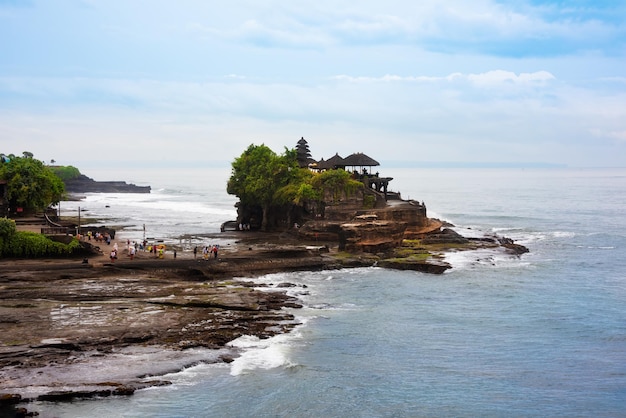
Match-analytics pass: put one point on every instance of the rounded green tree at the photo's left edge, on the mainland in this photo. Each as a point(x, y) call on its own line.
point(30, 184)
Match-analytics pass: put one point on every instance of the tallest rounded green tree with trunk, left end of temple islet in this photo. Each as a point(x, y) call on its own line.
point(258, 174)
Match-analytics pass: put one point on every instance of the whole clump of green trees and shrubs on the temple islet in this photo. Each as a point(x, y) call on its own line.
point(274, 190)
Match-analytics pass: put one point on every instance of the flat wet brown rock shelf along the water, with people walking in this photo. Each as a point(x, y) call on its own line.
point(59, 317)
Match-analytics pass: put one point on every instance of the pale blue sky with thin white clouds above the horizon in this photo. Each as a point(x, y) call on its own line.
point(194, 82)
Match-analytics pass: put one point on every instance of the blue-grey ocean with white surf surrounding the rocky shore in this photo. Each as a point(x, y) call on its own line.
point(539, 335)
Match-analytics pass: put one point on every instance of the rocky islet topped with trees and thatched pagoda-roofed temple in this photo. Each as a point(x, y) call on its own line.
point(343, 202)
